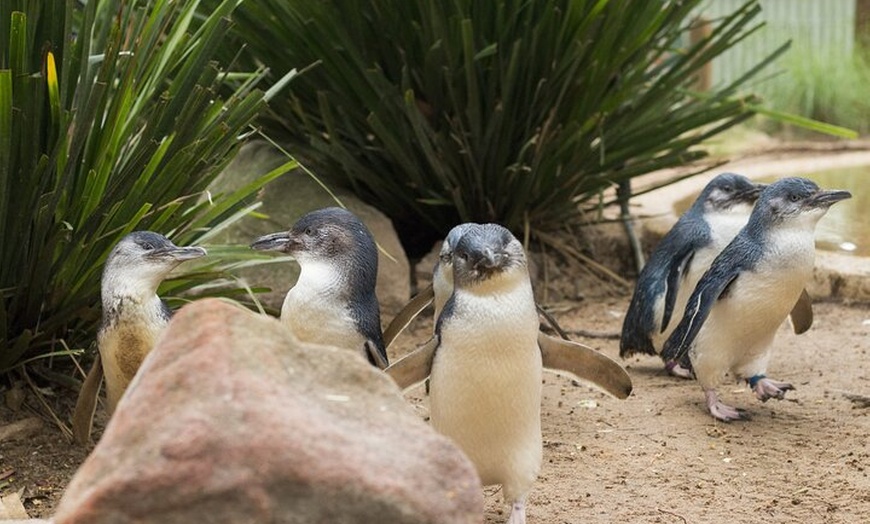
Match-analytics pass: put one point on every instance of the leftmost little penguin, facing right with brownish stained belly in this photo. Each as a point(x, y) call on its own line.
point(133, 316)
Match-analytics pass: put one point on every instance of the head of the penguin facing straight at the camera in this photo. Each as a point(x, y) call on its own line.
point(486, 251)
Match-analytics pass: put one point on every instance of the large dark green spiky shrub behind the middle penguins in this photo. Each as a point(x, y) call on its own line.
point(493, 110)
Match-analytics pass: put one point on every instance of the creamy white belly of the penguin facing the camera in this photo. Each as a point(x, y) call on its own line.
point(485, 393)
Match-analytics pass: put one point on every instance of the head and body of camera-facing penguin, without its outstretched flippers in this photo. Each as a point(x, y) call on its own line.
point(485, 382)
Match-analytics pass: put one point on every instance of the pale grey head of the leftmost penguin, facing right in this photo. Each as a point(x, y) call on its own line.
point(141, 260)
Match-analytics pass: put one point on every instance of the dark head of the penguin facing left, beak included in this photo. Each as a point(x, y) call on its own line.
point(331, 234)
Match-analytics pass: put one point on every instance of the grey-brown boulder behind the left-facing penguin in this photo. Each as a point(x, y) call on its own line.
point(288, 198)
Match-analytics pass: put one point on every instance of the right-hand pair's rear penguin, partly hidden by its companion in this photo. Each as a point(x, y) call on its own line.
point(679, 260)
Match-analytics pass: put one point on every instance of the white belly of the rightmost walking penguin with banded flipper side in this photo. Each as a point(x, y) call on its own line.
point(738, 333)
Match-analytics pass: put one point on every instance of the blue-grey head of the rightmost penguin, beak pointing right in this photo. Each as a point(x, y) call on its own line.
point(796, 199)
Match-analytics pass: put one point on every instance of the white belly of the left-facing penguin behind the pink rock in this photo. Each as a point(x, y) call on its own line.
point(313, 317)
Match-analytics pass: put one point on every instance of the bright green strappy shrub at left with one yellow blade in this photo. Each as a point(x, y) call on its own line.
point(110, 121)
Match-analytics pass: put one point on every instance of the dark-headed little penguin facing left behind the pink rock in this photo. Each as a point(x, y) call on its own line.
point(333, 302)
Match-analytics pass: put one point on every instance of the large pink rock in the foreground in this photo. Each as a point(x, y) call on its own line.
point(232, 420)
